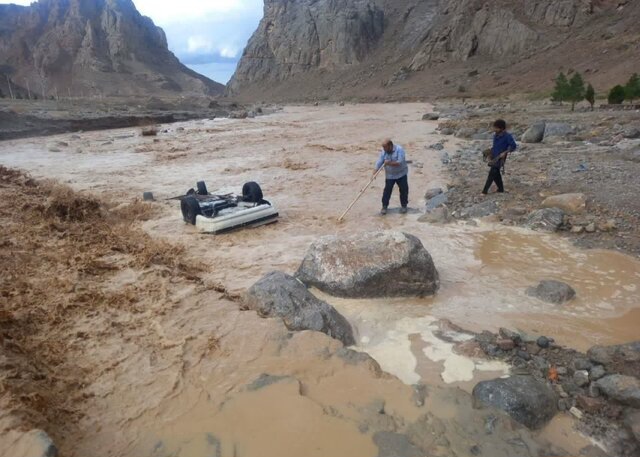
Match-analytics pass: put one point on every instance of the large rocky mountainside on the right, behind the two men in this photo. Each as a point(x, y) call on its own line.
point(378, 45)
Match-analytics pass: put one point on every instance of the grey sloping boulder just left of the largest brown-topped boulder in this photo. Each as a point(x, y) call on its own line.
point(281, 295)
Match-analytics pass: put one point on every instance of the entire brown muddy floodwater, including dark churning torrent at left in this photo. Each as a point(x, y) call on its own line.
point(155, 341)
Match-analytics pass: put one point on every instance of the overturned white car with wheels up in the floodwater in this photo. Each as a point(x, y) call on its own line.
point(217, 214)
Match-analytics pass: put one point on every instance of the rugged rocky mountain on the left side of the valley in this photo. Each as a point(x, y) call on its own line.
point(91, 47)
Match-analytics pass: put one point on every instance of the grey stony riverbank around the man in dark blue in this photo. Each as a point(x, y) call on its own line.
point(574, 173)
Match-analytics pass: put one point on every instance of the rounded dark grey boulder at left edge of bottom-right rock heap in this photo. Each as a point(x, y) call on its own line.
point(527, 400)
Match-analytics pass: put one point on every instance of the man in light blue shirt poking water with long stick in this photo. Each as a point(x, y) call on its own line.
point(394, 160)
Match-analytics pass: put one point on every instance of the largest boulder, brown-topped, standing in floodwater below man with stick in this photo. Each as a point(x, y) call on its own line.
point(368, 265)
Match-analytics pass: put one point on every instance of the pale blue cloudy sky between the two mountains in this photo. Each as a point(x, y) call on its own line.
point(207, 35)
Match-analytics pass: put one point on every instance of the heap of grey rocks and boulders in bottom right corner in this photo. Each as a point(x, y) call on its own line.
point(600, 388)
